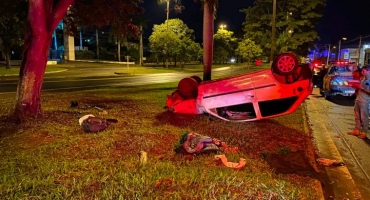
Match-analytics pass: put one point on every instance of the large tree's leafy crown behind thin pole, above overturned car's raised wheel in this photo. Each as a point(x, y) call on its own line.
point(295, 24)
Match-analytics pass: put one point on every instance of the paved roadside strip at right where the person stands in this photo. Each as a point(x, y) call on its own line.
point(330, 122)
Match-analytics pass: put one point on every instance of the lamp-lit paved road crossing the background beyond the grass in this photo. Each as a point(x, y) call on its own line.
point(86, 78)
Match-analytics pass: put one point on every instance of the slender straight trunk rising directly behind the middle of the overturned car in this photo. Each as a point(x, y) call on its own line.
point(207, 40)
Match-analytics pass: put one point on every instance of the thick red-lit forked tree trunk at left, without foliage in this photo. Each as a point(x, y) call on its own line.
point(42, 20)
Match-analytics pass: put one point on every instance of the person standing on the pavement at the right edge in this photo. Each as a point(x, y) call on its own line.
point(362, 105)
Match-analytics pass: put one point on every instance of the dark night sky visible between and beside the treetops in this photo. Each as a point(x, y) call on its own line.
point(342, 18)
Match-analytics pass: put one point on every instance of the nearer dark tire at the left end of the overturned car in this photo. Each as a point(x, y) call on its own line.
point(188, 88)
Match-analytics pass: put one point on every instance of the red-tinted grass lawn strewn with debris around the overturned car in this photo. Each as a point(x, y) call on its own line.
point(53, 158)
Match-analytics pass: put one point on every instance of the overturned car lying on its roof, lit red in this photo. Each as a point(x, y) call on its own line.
point(247, 97)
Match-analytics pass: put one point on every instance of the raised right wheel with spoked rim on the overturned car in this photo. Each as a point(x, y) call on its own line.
point(285, 64)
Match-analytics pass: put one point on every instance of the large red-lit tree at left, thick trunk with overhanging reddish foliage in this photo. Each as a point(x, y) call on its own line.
point(43, 18)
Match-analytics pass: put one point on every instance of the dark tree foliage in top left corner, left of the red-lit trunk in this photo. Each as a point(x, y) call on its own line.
point(12, 27)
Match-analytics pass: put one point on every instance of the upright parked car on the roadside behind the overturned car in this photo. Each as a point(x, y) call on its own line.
point(340, 79)
